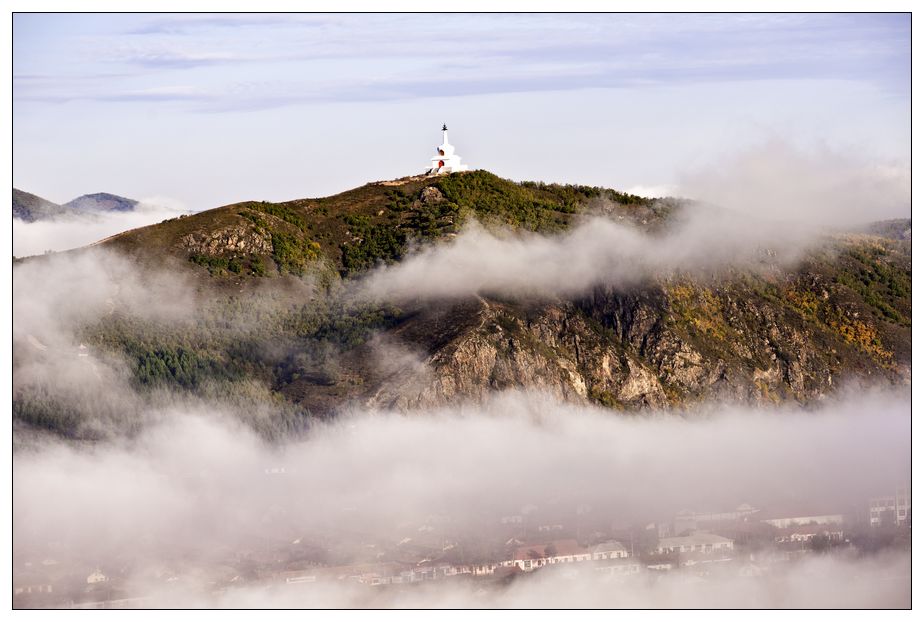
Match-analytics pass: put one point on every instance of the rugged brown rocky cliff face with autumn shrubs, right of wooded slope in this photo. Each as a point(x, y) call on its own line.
point(794, 336)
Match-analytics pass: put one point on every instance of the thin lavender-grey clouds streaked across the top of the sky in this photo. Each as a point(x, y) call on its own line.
point(518, 53)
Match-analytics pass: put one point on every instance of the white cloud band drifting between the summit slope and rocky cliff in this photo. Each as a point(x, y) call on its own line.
point(599, 251)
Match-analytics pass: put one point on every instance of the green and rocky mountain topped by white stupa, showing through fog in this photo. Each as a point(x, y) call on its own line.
point(761, 334)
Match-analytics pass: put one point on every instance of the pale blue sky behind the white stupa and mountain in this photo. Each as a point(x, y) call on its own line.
point(215, 109)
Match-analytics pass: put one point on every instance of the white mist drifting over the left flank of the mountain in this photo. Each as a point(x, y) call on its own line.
point(65, 302)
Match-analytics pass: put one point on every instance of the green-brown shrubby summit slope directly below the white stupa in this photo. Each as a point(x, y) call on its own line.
point(354, 230)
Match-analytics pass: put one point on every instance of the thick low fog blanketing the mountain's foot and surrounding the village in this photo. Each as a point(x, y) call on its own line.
point(196, 491)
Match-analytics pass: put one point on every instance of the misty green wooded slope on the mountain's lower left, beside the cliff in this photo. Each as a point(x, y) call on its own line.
point(239, 352)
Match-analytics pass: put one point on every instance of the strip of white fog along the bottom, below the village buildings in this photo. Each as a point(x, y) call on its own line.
point(879, 582)
